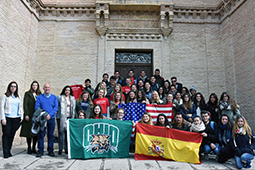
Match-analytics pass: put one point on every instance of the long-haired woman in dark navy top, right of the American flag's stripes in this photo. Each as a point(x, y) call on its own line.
point(188, 109)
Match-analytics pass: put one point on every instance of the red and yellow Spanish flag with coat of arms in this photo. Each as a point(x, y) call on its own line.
point(160, 143)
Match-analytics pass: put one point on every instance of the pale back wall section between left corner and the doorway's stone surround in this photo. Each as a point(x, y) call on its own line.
point(67, 54)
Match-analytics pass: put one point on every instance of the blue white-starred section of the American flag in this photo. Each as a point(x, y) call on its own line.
point(133, 111)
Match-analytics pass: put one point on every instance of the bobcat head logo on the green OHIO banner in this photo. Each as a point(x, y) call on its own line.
point(100, 143)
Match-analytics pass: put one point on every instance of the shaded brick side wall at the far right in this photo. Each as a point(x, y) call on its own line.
point(238, 38)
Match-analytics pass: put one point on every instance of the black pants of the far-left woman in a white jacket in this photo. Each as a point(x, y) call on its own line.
point(9, 130)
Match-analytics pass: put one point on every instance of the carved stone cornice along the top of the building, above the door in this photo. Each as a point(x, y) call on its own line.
point(133, 14)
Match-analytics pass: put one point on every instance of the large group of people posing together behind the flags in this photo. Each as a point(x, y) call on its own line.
point(223, 128)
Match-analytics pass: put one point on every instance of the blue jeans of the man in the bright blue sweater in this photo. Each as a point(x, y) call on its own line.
point(50, 135)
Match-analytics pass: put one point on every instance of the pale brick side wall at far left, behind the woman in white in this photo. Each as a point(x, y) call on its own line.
point(18, 44)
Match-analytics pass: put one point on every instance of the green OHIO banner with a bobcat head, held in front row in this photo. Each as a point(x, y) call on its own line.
point(94, 138)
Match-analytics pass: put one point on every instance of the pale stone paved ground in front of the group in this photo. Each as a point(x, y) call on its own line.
point(21, 160)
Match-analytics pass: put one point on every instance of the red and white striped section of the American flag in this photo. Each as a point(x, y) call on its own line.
point(155, 110)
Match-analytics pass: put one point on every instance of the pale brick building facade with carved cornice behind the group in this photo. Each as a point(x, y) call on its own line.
point(209, 44)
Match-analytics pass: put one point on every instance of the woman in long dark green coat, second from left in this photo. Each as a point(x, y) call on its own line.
point(29, 109)
